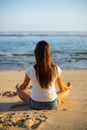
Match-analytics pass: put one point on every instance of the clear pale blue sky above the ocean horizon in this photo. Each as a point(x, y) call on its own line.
point(43, 15)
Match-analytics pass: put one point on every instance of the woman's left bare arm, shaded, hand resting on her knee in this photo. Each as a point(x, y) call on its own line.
point(24, 84)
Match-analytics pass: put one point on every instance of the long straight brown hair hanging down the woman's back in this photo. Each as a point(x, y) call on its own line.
point(46, 71)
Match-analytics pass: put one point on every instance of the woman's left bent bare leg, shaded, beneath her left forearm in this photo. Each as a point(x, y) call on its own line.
point(24, 95)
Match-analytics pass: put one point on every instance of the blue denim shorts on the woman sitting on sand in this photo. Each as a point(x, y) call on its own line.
point(36, 105)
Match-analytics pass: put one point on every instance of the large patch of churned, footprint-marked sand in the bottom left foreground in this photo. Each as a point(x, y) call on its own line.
point(21, 119)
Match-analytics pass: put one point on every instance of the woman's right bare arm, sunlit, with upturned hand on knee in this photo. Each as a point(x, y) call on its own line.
point(61, 85)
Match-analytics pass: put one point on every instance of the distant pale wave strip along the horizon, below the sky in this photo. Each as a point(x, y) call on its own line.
point(45, 34)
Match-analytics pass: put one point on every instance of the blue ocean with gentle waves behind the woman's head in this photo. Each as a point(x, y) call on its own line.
point(69, 49)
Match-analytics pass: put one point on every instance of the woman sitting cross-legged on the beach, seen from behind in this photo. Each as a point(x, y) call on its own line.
point(44, 76)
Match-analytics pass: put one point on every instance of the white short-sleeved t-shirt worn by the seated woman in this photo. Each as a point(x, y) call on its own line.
point(38, 93)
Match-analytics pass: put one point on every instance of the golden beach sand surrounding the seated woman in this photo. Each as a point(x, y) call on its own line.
point(72, 115)
